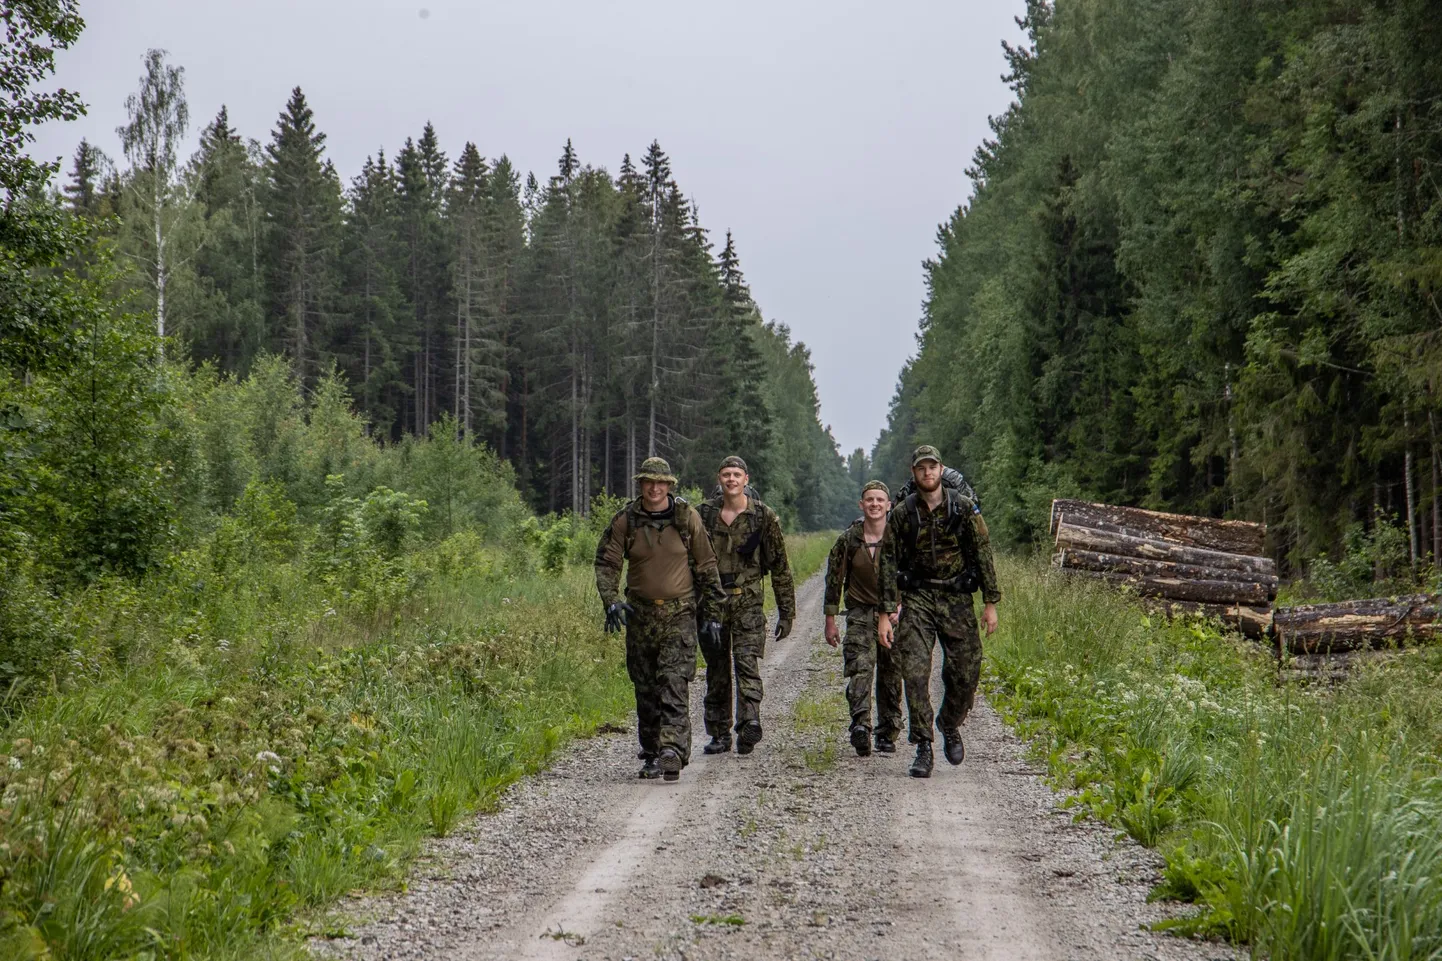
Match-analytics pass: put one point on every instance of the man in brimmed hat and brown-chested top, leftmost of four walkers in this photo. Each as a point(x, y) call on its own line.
point(671, 572)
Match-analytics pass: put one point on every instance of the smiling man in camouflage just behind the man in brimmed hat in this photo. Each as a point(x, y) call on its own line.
point(749, 545)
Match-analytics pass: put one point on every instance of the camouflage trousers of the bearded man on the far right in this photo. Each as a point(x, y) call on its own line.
point(947, 617)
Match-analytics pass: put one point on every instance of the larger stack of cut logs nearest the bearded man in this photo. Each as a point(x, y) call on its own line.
point(1182, 563)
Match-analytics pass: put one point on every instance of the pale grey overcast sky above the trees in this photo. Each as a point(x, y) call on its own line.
point(831, 136)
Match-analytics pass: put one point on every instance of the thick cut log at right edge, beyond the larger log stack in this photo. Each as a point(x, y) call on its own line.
point(1356, 626)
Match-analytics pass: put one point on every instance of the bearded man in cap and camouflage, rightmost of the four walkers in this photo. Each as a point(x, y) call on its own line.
point(937, 555)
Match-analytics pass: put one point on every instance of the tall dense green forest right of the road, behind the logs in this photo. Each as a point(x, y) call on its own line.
point(1200, 271)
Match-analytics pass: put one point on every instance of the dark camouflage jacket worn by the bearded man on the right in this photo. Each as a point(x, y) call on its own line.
point(938, 546)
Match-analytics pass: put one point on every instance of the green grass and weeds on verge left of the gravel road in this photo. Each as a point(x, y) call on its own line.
point(229, 747)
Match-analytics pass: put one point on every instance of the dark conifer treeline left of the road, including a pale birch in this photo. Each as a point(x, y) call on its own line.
point(575, 325)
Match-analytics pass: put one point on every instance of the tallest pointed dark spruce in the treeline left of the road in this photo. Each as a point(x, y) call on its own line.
point(302, 239)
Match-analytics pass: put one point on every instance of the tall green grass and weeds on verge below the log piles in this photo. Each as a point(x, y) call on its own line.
point(1304, 820)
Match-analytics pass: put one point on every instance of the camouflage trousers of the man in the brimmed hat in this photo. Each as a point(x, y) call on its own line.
point(661, 660)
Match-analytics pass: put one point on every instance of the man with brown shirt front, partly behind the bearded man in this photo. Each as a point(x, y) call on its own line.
point(854, 565)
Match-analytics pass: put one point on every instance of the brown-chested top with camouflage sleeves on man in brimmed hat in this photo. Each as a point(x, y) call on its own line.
point(653, 548)
